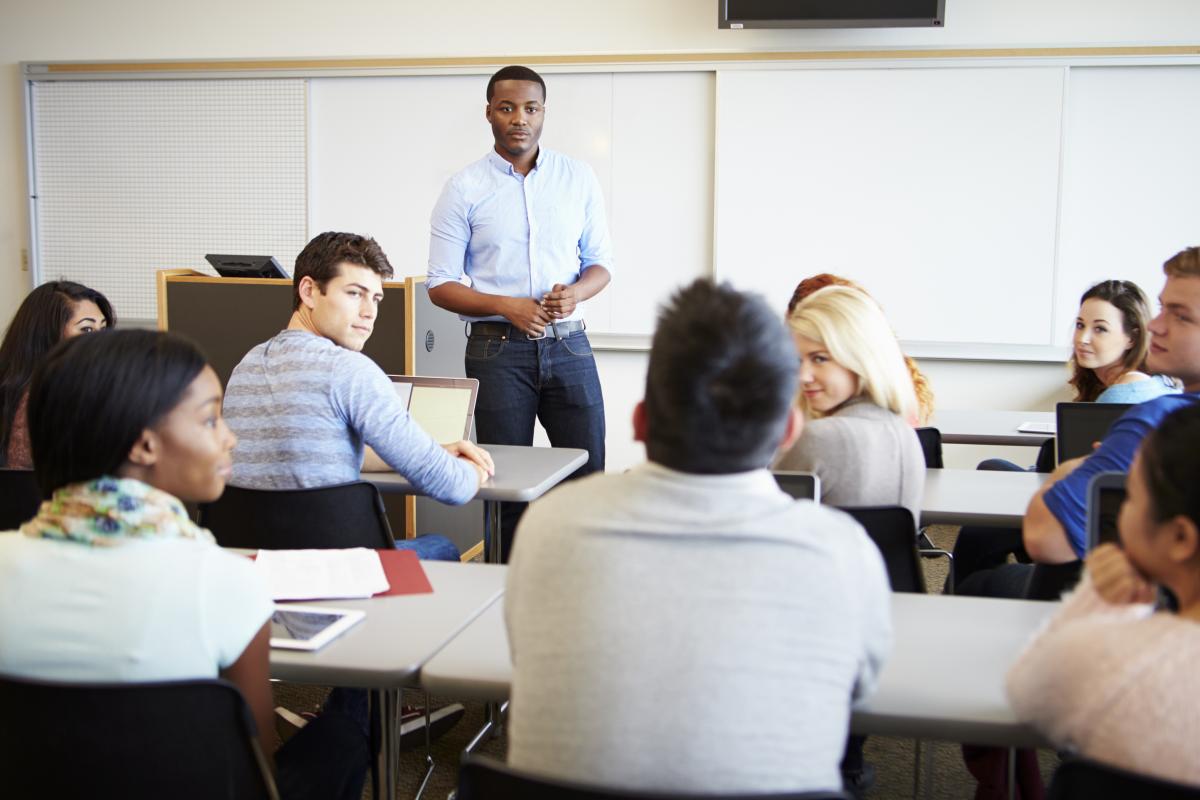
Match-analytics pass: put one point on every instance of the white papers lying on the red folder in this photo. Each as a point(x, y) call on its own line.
point(322, 575)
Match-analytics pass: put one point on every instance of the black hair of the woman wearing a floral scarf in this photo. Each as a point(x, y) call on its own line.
point(92, 399)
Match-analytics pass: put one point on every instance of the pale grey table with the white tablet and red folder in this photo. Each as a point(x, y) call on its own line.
point(399, 636)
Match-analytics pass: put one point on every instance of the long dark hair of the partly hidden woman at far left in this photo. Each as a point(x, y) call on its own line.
point(35, 329)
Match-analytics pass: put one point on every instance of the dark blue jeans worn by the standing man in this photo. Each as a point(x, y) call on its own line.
point(553, 381)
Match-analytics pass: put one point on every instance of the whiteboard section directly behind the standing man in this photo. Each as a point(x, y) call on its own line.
point(381, 151)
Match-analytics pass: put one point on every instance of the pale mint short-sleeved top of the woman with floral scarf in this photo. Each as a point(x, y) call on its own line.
point(143, 611)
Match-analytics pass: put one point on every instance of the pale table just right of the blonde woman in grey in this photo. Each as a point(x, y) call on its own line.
point(970, 497)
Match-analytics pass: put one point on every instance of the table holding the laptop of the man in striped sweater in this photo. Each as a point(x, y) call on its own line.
point(523, 476)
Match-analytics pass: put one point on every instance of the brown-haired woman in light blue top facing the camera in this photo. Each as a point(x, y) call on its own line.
point(1111, 347)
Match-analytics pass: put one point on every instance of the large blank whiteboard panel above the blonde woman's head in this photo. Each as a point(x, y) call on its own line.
point(935, 188)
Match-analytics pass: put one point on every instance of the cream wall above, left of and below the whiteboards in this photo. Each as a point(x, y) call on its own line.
point(51, 31)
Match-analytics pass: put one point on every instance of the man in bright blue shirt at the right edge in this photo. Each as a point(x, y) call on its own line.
point(1055, 528)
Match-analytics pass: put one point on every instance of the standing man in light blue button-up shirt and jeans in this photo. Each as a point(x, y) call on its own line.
point(519, 242)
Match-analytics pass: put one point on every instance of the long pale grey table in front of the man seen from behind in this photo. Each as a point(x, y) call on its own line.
point(945, 679)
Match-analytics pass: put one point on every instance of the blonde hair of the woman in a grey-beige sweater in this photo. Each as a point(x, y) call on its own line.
point(853, 328)
